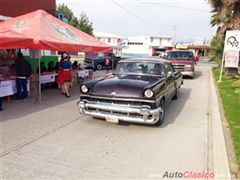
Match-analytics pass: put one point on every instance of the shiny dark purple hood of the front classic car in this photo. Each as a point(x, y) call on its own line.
point(123, 86)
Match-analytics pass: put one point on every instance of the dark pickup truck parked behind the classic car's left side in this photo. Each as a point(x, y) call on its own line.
point(98, 62)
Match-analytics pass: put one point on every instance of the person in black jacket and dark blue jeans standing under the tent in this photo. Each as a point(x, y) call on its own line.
point(23, 71)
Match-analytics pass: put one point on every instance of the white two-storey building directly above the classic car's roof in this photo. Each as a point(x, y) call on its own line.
point(146, 45)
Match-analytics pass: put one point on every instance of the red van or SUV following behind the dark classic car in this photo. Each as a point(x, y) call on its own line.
point(182, 61)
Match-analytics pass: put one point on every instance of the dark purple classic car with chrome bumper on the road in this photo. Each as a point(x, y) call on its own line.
point(138, 91)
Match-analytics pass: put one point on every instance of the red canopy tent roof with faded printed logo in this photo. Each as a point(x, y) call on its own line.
point(40, 30)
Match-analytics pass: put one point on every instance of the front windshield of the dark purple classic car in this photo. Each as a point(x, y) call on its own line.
point(142, 68)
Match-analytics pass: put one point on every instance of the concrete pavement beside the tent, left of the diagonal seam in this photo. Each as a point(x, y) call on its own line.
point(23, 121)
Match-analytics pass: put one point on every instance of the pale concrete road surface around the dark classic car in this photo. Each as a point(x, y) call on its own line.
point(59, 143)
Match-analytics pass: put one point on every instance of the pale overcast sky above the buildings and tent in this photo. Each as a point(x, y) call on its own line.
point(184, 20)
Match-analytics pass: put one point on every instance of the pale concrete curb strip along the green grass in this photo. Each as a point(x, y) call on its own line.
point(220, 158)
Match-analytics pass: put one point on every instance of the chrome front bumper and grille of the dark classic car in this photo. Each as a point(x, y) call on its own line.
point(130, 113)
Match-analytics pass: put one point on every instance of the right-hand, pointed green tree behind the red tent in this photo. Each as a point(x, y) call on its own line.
point(84, 24)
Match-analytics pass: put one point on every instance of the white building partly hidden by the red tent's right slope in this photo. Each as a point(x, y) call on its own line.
point(112, 40)
